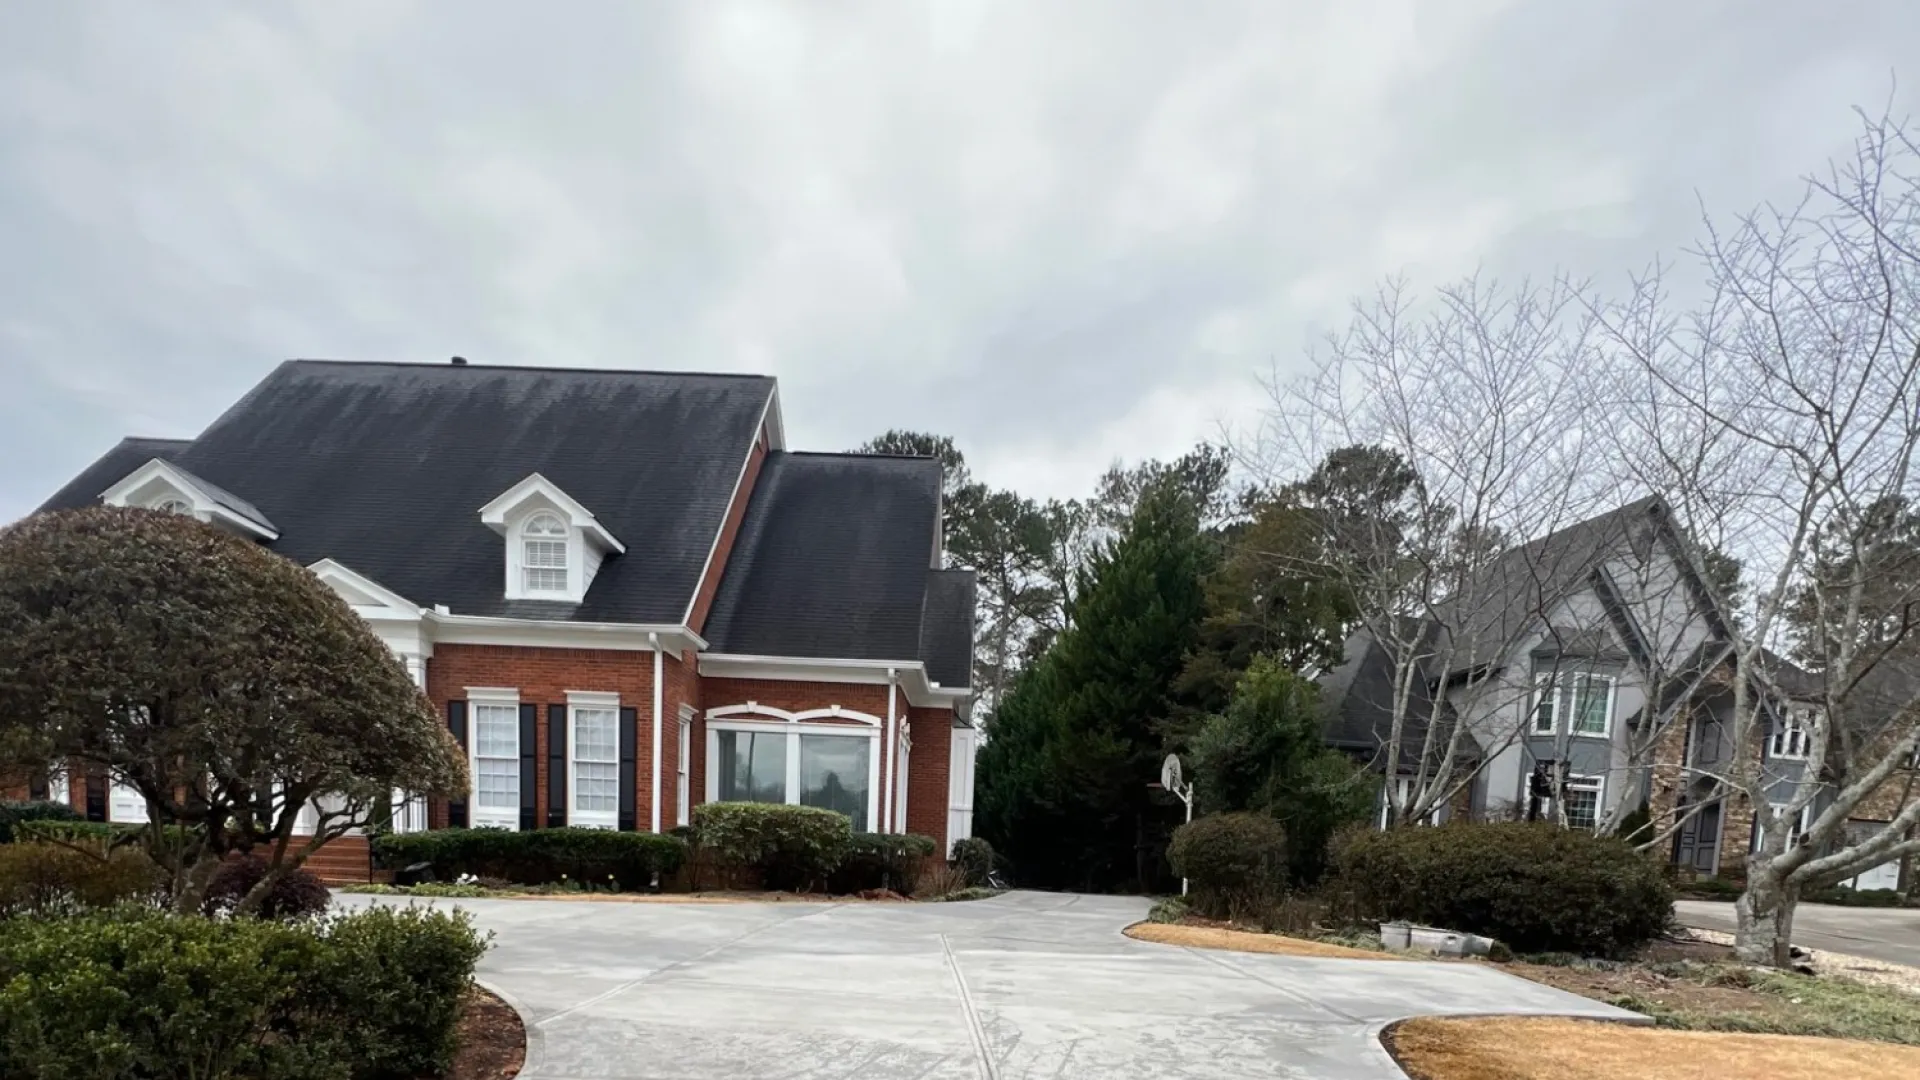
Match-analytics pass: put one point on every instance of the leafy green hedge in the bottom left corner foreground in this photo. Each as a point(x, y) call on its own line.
point(372, 996)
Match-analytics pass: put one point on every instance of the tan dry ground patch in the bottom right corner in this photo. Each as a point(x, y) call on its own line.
point(1545, 1048)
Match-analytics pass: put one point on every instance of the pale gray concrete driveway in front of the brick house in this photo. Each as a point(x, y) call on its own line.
point(1026, 985)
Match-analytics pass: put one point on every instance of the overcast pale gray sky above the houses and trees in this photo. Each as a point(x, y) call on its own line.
point(1059, 232)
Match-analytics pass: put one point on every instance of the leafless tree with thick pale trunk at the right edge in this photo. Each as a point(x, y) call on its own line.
point(1779, 418)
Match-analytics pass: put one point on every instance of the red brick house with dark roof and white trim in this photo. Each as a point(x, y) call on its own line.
point(621, 589)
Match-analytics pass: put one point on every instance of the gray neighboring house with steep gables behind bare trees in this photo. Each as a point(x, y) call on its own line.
point(1572, 654)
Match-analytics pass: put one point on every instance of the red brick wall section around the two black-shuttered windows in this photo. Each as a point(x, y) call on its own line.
point(544, 677)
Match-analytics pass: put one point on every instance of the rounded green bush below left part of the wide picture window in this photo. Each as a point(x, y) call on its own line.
point(792, 848)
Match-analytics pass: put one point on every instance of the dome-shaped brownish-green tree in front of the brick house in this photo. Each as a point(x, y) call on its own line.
point(220, 681)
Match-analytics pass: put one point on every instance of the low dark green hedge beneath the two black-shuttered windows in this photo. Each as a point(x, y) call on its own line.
point(544, 856)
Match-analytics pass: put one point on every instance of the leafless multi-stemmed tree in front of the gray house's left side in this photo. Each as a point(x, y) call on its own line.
point(1431, 439)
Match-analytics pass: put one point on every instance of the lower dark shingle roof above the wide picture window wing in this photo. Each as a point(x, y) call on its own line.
point(834, 560)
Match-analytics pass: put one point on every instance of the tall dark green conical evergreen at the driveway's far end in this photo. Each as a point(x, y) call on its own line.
point(1065, 775)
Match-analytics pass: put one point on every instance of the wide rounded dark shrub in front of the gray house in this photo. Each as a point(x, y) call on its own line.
point(1535, 887)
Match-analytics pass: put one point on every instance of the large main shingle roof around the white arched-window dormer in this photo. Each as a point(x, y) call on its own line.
point(385, 468)
